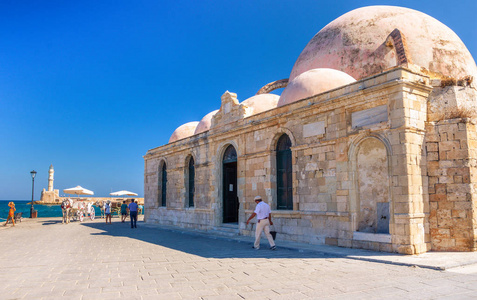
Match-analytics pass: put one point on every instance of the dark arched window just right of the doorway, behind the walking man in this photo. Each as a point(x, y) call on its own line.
point(284, 174)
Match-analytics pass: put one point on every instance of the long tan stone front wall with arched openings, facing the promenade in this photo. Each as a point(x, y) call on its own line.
point(326, 132)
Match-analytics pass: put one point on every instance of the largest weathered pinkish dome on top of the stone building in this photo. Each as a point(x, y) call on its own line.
point(355, 43)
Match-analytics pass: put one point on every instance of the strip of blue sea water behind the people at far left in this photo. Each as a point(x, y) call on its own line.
point(44, 211)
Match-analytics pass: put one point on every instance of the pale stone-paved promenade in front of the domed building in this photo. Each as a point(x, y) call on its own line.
point(43, 259)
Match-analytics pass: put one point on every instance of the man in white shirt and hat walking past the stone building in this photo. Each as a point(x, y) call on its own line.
point(264, 217)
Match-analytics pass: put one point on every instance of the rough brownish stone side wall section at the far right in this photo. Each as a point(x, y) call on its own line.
point(451, 159)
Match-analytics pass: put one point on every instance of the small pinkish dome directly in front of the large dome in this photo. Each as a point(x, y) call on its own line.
point(313, 82)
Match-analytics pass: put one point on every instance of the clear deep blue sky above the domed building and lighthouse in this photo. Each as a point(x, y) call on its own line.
point(90, 86)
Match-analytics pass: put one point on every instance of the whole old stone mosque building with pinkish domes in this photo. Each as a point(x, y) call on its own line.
point(372, 144)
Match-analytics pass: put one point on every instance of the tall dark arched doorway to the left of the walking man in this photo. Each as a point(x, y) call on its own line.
point(231, 204)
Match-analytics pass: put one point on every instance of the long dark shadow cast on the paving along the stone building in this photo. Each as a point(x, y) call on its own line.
point(209, 246)
